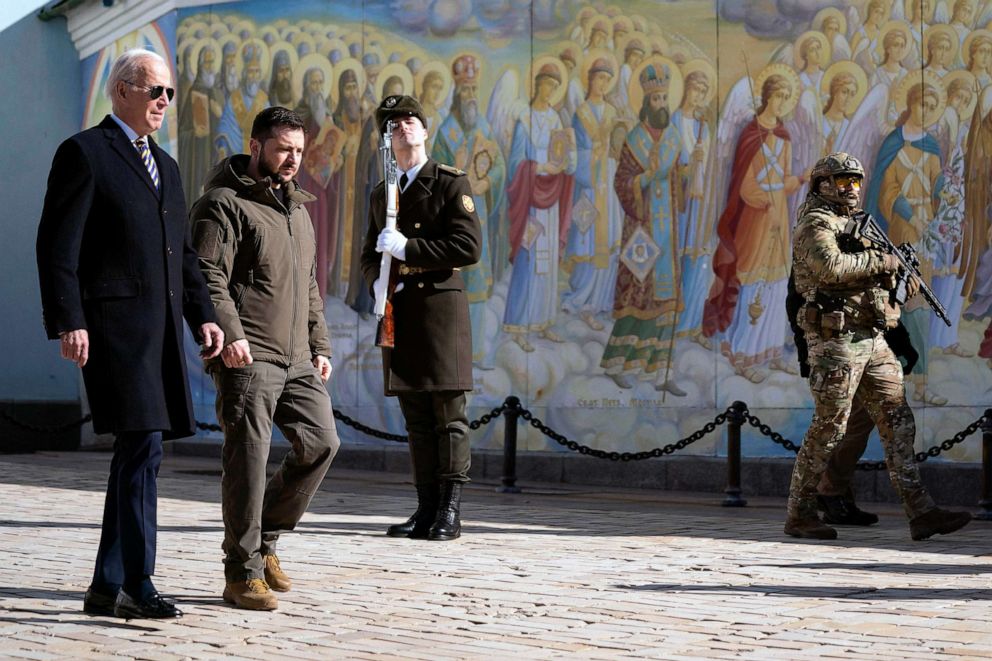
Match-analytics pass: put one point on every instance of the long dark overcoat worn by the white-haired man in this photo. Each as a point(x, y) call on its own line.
point(115, 258)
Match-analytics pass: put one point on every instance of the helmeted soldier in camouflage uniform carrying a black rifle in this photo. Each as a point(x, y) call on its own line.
point(845, 286)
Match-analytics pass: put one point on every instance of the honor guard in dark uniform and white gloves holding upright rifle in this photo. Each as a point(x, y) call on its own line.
point(429, 366)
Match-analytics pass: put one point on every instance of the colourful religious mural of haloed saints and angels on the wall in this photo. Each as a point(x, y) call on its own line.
point(637, 168)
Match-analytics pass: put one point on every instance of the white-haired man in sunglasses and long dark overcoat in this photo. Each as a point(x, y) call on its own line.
point(118, 275)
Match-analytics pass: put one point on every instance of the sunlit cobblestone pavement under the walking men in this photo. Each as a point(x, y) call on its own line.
point(549, 573)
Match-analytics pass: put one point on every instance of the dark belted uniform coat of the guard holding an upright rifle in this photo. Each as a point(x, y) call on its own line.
point(433, 345)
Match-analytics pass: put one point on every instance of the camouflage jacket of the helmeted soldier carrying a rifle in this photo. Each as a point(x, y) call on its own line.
point(835, 273)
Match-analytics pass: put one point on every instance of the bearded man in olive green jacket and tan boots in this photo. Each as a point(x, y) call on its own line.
point(257, 252)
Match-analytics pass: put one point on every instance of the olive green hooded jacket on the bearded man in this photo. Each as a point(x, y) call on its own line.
point(257, 252)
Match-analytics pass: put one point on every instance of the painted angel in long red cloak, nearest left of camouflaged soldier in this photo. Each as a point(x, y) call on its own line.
point(746, 303)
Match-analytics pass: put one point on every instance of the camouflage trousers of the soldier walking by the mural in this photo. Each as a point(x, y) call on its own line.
point(841, 368)
